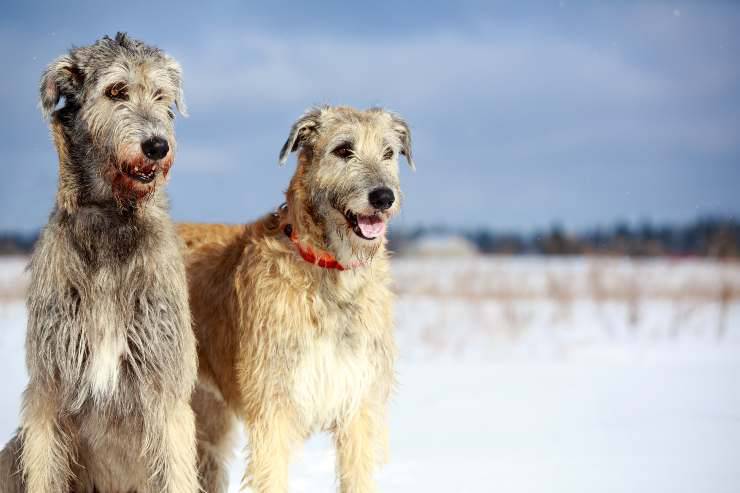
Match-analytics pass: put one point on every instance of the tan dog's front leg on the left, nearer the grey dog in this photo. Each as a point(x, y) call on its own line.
point(271, 440)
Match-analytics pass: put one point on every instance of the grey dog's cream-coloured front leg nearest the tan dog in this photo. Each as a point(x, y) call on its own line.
point(170, 446)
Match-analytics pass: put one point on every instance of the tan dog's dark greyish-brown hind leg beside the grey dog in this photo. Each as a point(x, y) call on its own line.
point(215, 426)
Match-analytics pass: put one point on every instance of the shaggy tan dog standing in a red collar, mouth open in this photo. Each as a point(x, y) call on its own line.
point(293, 313)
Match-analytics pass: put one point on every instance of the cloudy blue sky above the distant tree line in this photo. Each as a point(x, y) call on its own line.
point(580, 113)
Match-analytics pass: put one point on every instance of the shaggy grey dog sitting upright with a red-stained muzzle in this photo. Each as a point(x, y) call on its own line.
point(110, 349)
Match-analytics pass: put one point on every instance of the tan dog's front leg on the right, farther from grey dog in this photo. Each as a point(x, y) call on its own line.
point(358, 443)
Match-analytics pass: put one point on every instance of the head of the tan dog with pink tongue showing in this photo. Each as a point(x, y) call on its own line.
point(346, 187)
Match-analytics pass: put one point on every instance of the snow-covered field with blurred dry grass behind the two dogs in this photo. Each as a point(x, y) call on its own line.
point(534, 375)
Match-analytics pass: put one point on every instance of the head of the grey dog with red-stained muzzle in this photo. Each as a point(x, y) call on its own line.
point(111, 106)
